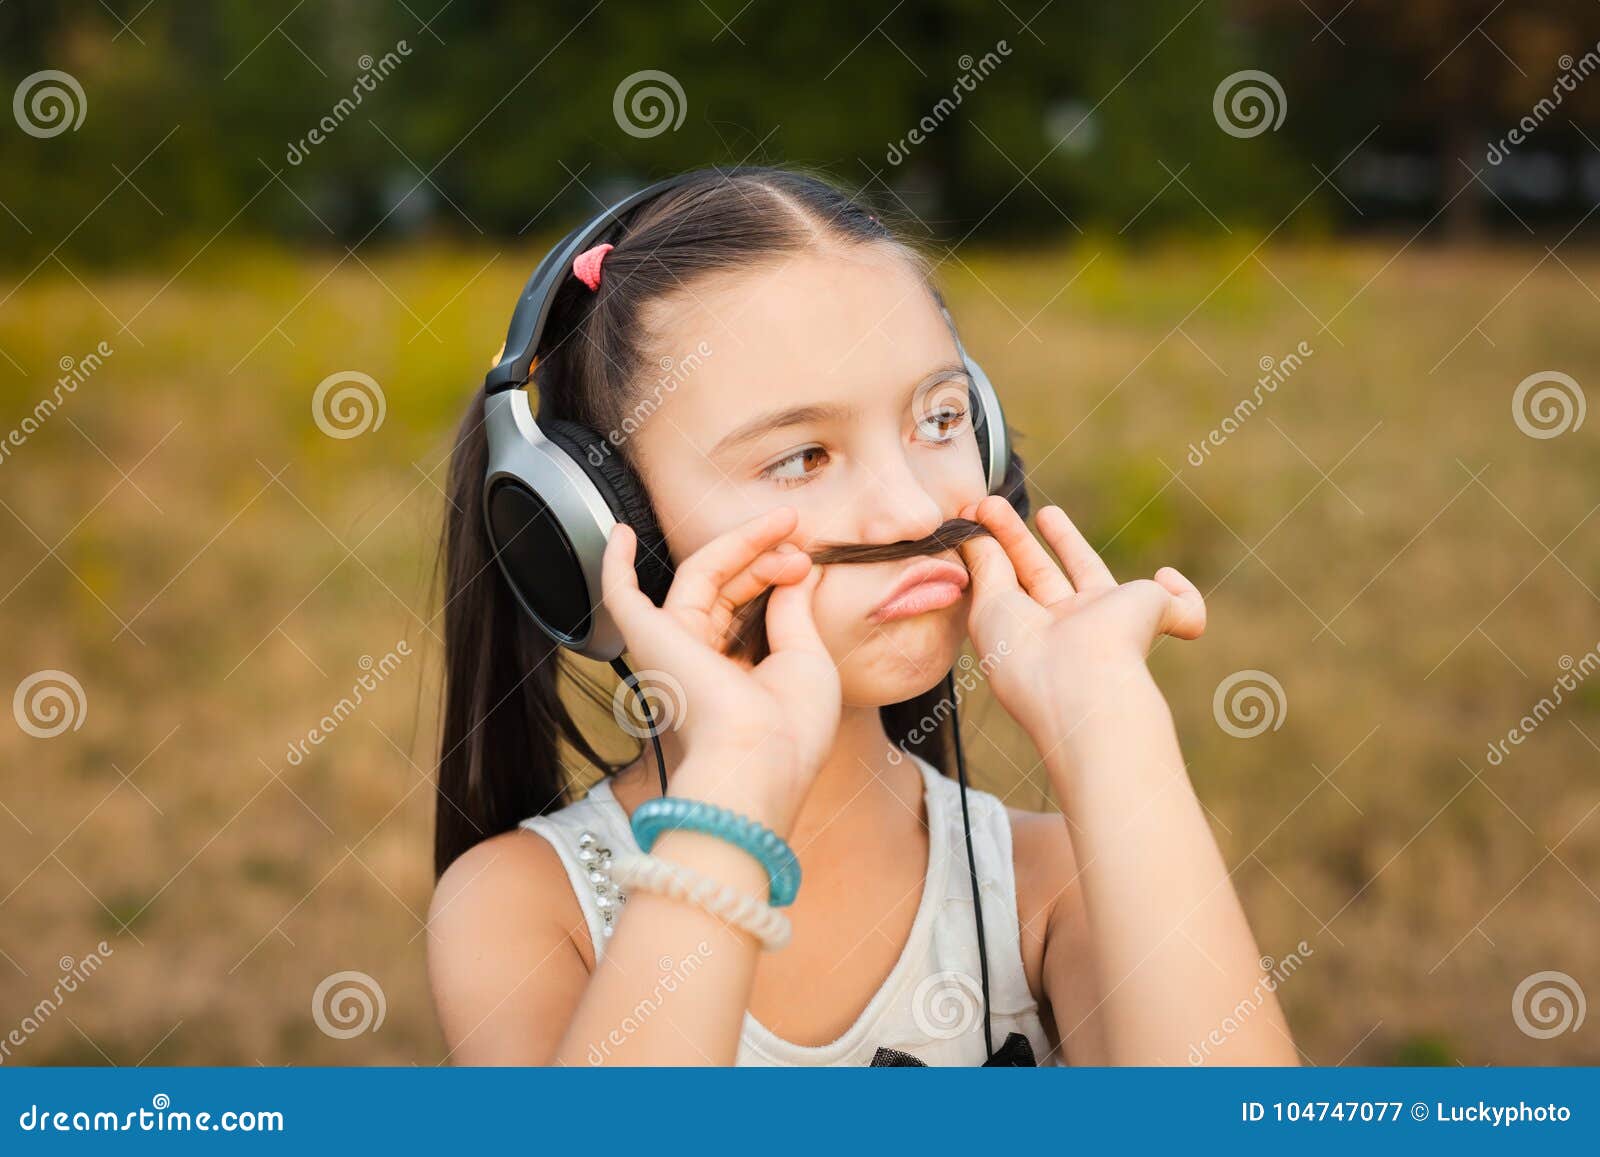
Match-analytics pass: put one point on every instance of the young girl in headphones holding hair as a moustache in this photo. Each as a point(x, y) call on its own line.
point(828, 404)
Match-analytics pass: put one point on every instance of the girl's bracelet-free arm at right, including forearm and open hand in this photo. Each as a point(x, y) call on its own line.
point(1156, 923)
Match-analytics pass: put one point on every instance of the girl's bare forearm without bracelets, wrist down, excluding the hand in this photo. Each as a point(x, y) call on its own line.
point(1172, 953)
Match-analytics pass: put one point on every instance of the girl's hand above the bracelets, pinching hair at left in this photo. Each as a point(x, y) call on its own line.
point(775, 721)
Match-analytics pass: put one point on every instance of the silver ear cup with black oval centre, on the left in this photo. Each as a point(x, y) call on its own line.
point(550, 526)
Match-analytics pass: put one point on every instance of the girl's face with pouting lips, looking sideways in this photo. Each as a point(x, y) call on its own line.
point(831, 383)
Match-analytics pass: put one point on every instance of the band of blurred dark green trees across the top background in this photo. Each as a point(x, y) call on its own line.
point(239, 118)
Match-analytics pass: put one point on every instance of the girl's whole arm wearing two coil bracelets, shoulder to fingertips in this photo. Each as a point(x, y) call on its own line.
point(511, 983)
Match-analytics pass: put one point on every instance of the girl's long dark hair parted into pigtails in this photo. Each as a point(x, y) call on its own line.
point(505, 718)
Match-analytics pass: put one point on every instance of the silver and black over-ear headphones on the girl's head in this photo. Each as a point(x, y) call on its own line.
point(556, 489)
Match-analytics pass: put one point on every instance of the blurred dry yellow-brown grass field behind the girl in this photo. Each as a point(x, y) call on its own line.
point(1380, 537)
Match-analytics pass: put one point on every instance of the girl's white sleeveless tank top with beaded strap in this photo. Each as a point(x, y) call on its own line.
point(930, 1006)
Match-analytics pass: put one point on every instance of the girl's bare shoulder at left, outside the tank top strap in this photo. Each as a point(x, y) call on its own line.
point(508, 948)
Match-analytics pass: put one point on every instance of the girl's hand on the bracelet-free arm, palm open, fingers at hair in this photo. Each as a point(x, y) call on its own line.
point(1066, 638)
